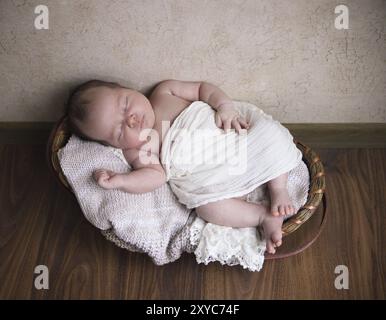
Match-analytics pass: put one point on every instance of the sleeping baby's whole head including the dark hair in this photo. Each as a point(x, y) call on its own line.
point(110, 114)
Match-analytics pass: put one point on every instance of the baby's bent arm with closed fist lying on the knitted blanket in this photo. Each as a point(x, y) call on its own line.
point(143, 178)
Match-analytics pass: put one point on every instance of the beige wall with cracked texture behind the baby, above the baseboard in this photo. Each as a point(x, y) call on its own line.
point(285, 56)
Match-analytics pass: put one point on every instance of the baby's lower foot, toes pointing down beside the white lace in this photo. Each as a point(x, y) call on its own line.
point(272, 232)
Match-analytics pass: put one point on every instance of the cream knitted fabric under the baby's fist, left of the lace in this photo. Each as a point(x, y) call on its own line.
point(149, 222)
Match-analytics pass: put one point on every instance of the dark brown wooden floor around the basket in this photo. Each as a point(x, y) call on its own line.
point(42, 224)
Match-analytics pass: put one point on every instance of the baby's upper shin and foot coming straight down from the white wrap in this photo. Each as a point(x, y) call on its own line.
point(280, 201)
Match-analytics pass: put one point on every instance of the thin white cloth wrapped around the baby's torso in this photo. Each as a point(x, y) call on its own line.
point(204, 164)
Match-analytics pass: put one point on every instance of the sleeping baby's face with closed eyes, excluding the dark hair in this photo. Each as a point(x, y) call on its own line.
point(117, 116)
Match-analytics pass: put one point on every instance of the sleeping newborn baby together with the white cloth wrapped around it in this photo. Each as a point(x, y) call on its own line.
point(211, 151)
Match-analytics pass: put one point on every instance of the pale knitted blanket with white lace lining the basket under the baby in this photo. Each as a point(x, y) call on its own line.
point(155, 222)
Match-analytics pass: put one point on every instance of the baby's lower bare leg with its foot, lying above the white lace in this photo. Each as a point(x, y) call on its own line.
point(239, 213)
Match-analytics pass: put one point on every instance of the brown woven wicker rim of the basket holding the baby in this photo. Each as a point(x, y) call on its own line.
point(60, 135)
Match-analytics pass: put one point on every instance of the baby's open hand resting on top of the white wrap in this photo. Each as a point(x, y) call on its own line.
point(227, 117)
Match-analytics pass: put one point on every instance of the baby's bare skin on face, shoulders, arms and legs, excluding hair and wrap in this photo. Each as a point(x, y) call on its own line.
point(126, 119)
